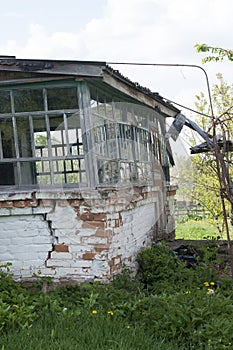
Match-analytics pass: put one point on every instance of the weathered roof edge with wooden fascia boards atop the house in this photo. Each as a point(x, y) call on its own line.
point(87, 69)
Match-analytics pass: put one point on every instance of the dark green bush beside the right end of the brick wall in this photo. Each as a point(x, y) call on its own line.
point(160, 271)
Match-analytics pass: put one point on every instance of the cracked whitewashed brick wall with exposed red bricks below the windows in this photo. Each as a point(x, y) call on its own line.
point(78, 236)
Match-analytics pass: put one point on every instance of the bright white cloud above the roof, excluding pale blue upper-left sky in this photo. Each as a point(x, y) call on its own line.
point(140, 31)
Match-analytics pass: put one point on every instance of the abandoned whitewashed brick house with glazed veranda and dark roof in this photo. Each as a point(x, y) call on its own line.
point(84, 169)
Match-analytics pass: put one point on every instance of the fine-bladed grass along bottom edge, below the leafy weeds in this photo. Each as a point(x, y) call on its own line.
point(86, 332)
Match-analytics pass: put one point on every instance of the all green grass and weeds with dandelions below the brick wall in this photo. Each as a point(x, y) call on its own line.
point(165, 306)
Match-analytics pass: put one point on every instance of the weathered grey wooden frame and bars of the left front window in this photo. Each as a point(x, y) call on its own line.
point(18, 160)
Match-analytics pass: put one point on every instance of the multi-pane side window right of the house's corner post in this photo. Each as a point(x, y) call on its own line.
point(143, 122)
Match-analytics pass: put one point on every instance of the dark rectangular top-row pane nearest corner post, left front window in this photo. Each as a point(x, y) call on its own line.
point(62, 98)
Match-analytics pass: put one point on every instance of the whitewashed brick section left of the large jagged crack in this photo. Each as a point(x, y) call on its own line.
point(25, 241)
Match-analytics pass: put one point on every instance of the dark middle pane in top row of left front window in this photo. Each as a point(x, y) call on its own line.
point(28, 100)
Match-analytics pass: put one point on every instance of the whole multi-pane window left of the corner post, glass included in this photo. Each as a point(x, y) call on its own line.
point(52, 140)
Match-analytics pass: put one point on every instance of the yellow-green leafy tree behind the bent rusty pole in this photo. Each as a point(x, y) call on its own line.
point(206, 188)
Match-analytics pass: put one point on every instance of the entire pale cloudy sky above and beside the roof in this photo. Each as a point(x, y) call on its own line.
point(142, 31)
